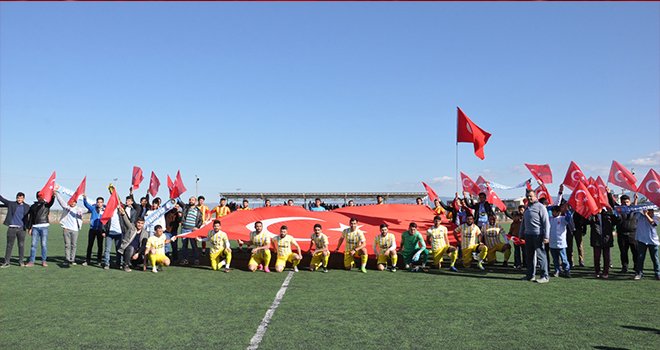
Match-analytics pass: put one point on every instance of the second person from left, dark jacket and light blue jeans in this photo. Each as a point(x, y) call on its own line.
point(38, 224)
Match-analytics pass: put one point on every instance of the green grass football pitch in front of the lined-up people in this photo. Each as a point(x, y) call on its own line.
point(185, 307)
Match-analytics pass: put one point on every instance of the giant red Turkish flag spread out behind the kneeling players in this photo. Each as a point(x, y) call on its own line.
point(301, 222)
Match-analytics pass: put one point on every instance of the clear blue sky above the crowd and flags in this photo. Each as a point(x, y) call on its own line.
point(323, 96)
